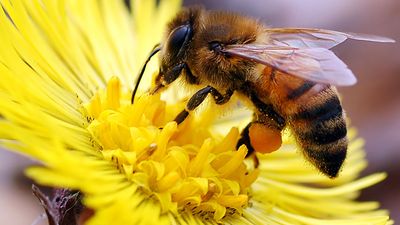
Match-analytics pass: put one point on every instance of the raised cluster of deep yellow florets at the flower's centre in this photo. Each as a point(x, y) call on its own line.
point(186, 167)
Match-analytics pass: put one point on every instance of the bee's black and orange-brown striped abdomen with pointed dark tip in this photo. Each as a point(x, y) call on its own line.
point(315, 114)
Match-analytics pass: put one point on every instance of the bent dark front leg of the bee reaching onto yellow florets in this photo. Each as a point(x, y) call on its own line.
point(199, 97)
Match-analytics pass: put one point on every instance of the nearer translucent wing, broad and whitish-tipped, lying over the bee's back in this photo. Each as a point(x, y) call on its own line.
point(315, 64)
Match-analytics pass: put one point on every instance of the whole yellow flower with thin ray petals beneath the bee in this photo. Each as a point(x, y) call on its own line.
point(66, 72)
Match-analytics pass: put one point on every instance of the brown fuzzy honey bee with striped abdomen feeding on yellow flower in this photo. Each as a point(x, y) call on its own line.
point(289, 75)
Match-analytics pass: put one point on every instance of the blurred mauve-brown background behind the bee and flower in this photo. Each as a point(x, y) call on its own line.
point(373, 104)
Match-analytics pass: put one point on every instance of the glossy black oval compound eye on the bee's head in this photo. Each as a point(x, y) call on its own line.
point(178, 37)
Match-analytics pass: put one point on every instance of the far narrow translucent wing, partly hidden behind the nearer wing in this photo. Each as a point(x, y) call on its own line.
point(316, 38)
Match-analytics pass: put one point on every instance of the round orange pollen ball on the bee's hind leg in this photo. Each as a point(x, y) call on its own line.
point(264, 139)
